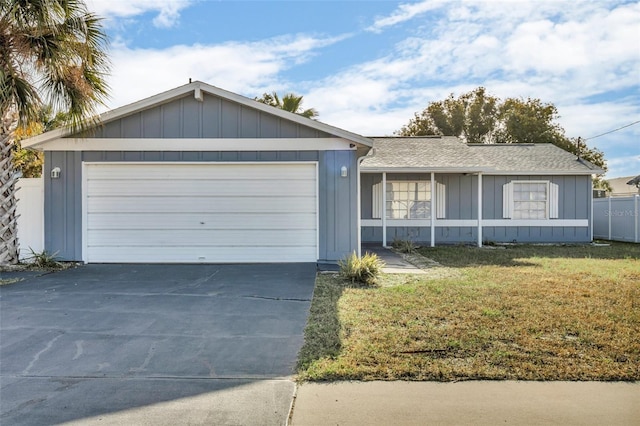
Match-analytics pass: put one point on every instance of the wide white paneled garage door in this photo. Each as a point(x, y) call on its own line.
point(189, 213)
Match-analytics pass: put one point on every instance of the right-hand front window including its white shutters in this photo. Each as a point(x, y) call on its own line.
point(533, 200)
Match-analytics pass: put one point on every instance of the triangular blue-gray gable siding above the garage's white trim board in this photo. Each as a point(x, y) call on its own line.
point(214, 117)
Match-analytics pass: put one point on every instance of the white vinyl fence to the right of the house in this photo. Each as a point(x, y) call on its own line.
point(617, 219)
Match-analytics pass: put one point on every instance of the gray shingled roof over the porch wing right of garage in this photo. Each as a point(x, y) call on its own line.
point(450, 153)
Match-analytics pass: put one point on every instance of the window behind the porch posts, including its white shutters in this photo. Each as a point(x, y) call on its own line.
point(408, 200)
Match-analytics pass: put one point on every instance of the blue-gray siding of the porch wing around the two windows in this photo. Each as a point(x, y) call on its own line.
point(461, 203)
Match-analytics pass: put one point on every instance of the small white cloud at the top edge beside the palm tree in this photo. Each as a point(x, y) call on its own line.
point(168, 10)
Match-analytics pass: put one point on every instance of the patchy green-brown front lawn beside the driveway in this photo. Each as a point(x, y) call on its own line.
point(520, 312)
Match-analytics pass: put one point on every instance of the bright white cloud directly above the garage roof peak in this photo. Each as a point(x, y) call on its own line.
point(243, 67)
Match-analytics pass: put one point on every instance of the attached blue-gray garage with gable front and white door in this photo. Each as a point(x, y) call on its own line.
point(201, 175)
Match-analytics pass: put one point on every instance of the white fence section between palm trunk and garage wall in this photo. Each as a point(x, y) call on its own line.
point(30, 209)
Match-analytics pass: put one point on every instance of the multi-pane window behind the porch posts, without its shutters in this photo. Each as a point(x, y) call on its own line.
point(408, 200)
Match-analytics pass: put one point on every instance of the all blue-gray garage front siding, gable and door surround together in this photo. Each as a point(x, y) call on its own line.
point(214, 117)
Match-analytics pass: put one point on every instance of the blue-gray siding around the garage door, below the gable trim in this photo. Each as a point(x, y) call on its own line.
point(337, 195)
